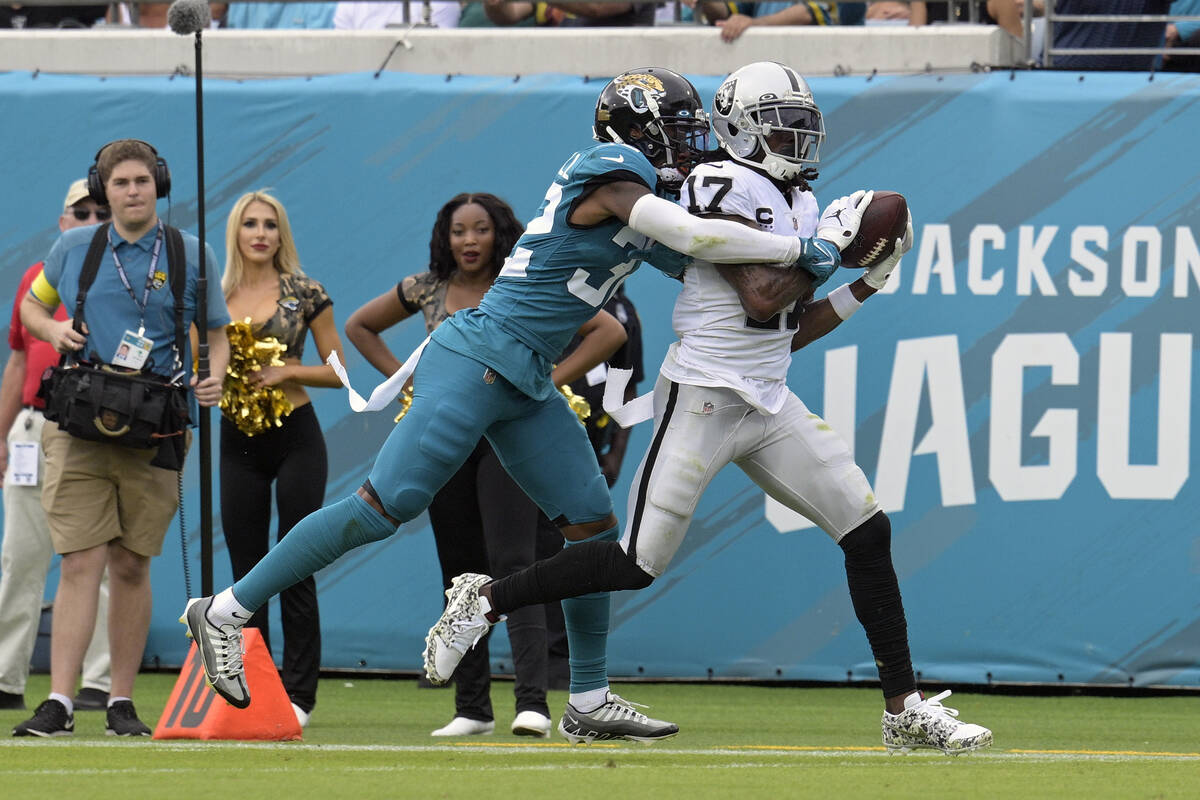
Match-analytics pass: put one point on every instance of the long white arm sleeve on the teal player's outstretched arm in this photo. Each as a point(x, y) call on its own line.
point(719, 242)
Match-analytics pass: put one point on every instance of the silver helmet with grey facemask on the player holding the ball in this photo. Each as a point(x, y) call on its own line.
point(764, 116)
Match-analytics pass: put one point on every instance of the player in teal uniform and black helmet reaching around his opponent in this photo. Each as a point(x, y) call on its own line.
point(485, 372)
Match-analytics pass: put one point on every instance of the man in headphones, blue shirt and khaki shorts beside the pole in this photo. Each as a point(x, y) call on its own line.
point(107, 504)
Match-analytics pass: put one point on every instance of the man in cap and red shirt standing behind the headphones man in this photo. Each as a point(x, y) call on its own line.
point(26, 552)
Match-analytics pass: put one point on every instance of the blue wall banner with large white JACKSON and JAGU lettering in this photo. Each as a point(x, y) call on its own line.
point(1021, 395)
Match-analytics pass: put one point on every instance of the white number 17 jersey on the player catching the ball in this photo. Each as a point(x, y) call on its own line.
point(719, 345)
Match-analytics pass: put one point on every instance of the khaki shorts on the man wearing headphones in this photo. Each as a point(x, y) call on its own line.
point(98, 492)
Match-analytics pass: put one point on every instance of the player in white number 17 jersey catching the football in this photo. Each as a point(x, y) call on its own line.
point(723, 398)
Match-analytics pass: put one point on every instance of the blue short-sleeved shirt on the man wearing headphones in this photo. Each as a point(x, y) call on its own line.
point(111, 311)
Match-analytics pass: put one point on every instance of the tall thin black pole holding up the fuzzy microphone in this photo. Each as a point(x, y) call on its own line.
point(202, 352)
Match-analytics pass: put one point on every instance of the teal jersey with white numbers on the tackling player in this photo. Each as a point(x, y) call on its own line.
point(559, 275)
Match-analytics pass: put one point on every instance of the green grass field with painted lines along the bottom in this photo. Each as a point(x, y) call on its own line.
point(369, 738)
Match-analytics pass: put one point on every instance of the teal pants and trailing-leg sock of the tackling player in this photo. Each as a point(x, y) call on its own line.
point(457, 400)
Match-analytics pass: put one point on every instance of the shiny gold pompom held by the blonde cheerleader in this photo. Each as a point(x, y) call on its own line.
point(254, 410)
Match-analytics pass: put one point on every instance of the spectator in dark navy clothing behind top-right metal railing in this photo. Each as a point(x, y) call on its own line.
point(1088, 35)
